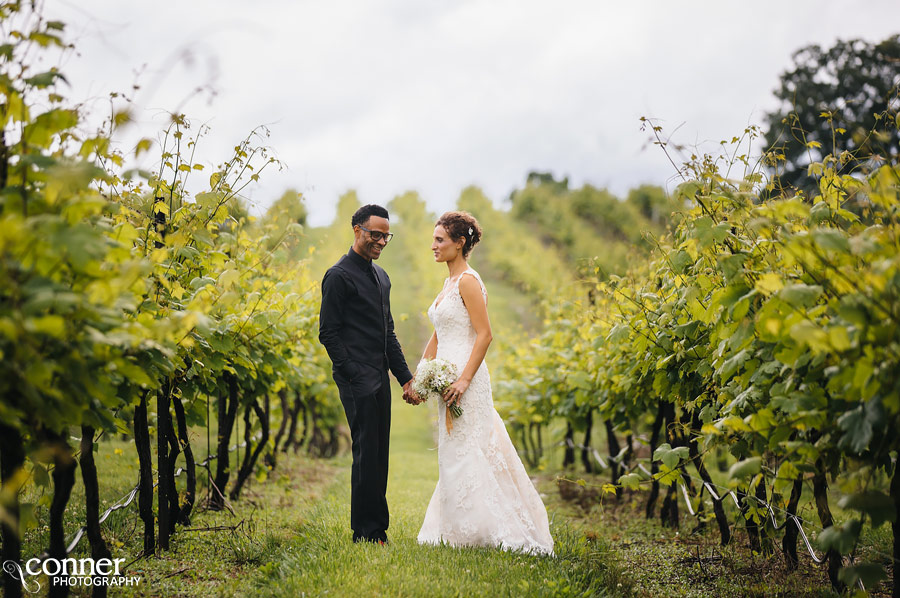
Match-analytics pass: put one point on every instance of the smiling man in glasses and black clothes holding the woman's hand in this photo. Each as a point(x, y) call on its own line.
point(357, 329)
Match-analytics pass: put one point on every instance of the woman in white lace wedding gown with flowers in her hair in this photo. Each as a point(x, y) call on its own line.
point(483, 496)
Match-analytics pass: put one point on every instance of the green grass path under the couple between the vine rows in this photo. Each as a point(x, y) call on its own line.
point(322, 560)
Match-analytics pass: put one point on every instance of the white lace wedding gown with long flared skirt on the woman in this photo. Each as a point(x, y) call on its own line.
point(483, 496)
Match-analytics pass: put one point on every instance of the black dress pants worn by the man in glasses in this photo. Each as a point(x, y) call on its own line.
point(369, 418)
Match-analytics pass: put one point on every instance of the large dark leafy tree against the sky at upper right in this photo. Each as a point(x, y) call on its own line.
point(835, 101)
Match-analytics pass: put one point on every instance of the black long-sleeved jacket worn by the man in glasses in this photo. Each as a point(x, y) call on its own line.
point(356, 326)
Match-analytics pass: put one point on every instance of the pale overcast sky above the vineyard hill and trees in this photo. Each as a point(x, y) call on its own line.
point(384, 97)
